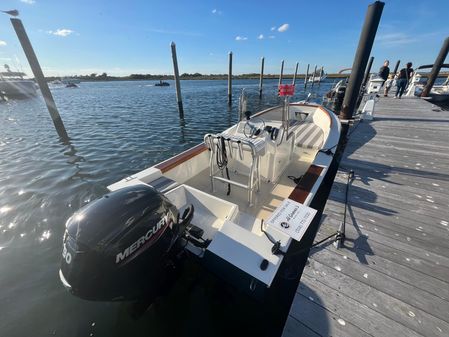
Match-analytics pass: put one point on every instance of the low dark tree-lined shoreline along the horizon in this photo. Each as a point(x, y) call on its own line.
point(196, 76)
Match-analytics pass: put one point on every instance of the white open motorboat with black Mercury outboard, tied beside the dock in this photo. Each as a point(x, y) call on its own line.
point(234, 204)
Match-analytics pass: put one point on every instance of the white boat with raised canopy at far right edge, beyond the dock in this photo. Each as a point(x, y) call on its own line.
point(439, 93)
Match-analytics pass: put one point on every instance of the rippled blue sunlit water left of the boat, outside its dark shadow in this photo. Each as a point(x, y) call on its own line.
point(115, 129)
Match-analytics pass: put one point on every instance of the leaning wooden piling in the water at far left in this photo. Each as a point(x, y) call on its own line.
point(39, 77)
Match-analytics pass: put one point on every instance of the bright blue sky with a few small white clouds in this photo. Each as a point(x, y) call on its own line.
point(123, 37)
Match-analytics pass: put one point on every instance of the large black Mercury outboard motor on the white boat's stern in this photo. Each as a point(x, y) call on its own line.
point(122, 246)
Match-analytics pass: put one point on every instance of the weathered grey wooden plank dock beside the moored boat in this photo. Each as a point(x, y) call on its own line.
point(392, 276)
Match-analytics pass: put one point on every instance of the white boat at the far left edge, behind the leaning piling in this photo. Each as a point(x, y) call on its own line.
point(14, 85)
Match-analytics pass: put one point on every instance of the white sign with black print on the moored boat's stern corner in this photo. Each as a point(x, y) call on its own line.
point(292, 218)
